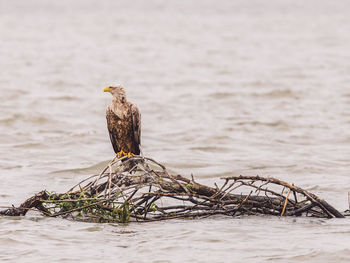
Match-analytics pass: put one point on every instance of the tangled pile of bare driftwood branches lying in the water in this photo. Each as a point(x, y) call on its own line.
point(140, 189)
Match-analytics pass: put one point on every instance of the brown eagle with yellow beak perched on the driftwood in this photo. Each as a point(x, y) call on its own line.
point(123, 123)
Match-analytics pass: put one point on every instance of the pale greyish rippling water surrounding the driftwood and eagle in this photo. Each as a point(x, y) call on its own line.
point(224, 88)
